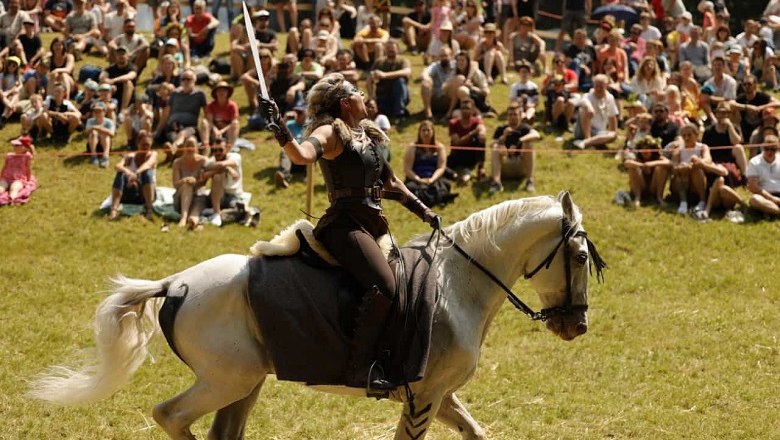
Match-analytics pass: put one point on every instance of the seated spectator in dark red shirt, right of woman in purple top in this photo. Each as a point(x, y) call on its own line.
point(467, 131)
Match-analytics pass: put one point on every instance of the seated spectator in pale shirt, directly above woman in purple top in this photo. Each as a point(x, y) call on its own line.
point(439, 85)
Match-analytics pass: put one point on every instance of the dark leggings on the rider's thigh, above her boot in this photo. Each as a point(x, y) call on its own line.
point(358, 252)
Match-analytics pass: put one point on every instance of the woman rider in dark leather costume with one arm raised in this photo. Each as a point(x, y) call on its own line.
point(349, 149)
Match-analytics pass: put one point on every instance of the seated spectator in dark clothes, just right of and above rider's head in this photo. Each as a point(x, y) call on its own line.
point(389, 78)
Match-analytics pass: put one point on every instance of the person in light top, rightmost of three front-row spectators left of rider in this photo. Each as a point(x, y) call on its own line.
point(226, 174)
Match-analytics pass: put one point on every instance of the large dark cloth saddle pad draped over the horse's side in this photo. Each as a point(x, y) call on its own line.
point(306, 315)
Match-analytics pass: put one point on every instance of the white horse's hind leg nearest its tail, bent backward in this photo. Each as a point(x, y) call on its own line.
point(176, 415)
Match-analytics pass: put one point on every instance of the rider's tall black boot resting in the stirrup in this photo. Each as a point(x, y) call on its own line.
point(362, 368)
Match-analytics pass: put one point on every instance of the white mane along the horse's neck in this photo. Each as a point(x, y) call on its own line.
point(490, 220)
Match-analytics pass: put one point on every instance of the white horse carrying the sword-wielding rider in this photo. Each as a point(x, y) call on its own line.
point(218, 337)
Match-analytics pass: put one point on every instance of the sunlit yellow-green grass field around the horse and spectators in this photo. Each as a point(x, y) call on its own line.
point(682, 344)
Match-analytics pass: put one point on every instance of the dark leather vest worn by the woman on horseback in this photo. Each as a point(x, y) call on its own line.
point(355, 168)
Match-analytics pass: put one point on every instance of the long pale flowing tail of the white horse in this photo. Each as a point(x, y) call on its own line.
point(125, 322)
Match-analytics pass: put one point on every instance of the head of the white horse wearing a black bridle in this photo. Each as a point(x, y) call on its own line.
point(558, 267)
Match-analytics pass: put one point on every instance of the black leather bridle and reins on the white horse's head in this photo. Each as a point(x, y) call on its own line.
point(567, 233)
